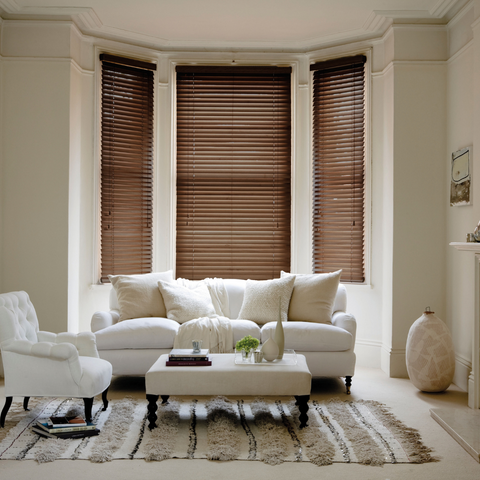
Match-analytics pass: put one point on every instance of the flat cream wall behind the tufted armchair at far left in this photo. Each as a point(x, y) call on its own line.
point(35, 117)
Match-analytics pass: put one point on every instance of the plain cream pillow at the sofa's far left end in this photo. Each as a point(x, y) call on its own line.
point(138, 295)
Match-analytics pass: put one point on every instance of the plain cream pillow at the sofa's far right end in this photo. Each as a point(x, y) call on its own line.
point(313, 296)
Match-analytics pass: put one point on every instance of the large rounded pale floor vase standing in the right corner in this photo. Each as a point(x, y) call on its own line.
point(430, 355)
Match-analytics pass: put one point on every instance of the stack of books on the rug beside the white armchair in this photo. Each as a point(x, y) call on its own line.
point(65, 427)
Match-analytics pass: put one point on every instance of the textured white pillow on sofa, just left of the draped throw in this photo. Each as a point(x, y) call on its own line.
point(184, 304)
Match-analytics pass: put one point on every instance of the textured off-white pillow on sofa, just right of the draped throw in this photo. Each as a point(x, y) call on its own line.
point(262, 300)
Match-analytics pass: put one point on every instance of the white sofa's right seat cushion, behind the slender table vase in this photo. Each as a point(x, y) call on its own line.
point(311, 337)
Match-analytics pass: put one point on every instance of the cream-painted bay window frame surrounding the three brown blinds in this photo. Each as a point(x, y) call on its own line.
point(164, 192)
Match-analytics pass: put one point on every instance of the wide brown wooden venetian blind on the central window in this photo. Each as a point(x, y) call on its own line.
point(233, 172)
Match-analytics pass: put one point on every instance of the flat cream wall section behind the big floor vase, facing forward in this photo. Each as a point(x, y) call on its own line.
point(419, 198)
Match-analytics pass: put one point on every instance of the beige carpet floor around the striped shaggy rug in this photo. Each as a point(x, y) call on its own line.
point(407, 403)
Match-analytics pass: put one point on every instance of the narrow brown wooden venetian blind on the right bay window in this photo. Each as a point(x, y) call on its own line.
point(339, 167)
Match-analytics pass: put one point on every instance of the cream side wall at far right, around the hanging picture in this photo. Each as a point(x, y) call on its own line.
point(463, 96)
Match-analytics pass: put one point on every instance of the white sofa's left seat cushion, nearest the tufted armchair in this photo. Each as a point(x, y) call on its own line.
point(147, 332)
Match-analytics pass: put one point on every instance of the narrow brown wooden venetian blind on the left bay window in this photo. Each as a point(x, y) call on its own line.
point(126, 166)
